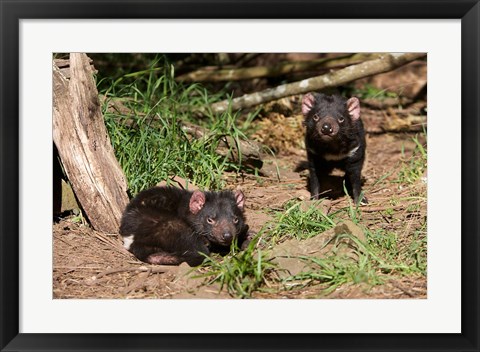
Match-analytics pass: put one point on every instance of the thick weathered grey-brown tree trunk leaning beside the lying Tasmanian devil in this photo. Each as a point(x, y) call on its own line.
point(84, 146)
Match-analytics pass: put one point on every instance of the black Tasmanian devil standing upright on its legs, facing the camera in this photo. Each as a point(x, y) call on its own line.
point(334, 139)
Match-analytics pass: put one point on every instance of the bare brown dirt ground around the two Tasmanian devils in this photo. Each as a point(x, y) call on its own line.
point(91, 264)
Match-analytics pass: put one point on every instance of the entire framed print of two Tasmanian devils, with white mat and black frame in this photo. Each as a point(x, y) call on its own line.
point(41, 311)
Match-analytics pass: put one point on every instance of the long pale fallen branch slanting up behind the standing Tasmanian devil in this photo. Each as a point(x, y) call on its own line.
point(384, 63)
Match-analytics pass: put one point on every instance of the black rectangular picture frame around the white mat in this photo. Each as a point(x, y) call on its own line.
point(13, 11)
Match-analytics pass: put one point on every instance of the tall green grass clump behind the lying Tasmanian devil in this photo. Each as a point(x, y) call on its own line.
point(149, 142)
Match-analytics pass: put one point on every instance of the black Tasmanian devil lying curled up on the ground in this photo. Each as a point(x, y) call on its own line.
point(167, 225)
